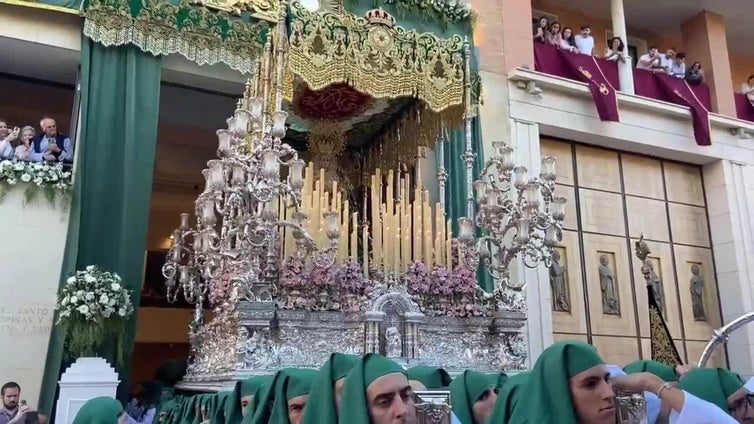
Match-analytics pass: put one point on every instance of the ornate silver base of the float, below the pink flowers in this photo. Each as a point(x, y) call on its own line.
point(262, 339)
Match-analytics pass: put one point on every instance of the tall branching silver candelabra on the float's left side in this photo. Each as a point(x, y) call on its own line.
point(238, 215)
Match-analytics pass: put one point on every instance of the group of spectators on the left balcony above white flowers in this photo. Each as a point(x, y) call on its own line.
point(26, 144)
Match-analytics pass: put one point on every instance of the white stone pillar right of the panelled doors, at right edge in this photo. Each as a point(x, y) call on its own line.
point(729, 188)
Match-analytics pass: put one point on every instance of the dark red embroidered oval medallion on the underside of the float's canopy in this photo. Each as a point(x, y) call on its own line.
point(337, 101)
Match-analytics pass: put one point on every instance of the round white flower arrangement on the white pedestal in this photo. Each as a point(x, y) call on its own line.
point(93, 304)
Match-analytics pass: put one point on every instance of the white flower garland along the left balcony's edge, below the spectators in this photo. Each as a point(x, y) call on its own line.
point(51, 180)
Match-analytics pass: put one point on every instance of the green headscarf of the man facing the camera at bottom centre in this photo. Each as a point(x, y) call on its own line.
point(354, 407)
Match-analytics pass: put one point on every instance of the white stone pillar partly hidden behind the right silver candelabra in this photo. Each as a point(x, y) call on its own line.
point(525, 139)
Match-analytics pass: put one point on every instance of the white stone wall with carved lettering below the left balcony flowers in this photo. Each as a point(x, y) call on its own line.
point(31, 254)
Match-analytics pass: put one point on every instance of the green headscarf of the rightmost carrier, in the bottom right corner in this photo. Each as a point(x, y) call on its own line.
point(714, 385)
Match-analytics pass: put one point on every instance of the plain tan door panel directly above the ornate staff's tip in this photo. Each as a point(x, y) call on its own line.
point(648, 217)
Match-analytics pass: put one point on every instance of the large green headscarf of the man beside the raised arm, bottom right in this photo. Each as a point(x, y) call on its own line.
point(548, 382)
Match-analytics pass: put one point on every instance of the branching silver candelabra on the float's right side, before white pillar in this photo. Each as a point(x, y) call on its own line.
point(518, 215)
